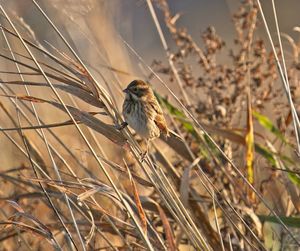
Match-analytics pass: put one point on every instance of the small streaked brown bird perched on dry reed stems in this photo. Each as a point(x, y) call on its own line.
point(142, 112)
